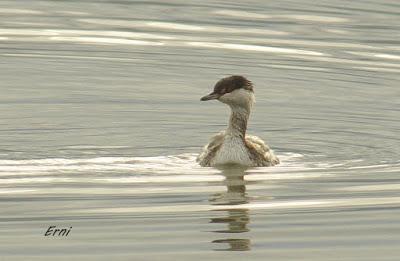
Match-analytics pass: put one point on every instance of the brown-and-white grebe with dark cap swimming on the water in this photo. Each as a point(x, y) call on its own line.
point(233, 146)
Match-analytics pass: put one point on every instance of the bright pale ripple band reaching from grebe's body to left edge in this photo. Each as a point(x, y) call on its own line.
point(179, 164)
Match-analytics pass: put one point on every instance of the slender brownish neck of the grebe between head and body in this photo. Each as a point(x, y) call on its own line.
point(238, 122)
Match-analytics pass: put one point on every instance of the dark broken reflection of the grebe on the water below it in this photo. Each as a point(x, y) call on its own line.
point(236, 219)
